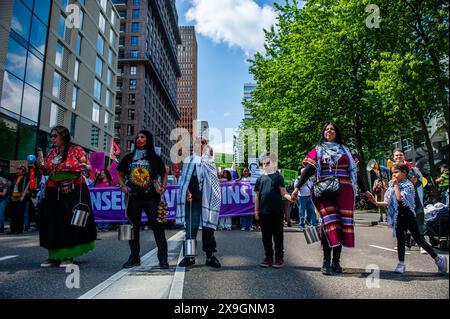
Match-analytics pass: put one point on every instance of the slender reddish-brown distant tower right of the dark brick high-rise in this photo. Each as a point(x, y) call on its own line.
point(187, 83)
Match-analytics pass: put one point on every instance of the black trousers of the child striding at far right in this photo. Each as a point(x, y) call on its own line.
point(407, 221)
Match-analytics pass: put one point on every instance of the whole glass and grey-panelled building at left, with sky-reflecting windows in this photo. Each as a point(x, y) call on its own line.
point(74, 87)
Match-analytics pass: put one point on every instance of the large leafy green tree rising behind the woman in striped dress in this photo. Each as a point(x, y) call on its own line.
point(315, 69)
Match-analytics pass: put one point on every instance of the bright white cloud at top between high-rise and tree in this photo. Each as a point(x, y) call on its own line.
point(239, 23)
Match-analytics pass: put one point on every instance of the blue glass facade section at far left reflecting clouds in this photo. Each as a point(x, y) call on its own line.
point(23, 35)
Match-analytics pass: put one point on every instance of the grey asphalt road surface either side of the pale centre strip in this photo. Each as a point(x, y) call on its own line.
point(240, 276)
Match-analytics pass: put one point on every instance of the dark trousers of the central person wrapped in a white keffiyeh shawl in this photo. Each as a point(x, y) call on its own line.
point(192, 225)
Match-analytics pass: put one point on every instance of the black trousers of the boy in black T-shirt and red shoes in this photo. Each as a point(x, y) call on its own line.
point(272, 229)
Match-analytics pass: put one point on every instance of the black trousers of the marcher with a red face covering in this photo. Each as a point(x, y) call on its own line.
point(134, 211)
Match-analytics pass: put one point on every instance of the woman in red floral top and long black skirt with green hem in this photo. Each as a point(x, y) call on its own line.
point(63, 191)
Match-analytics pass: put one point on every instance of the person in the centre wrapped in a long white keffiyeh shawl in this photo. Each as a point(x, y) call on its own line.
point(199, 200)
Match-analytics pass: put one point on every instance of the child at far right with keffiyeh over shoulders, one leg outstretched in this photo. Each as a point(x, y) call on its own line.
point(399, 200)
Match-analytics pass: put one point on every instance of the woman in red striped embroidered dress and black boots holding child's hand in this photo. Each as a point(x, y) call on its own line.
point(331, 157)
